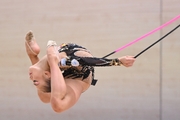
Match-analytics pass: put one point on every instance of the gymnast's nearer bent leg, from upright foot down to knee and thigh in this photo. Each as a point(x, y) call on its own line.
point(63, 95)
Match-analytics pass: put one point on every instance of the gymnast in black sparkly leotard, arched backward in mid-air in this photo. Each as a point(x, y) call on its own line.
point(65, 72)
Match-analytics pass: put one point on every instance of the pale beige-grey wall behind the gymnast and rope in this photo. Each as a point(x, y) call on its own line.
point(150, 90)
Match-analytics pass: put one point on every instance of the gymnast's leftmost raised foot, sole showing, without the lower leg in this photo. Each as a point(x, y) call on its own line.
point(32, 47)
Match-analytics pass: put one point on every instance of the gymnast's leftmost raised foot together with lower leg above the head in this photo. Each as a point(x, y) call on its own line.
point(32, 47)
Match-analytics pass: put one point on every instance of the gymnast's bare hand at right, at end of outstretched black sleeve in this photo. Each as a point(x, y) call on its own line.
point(127, 61)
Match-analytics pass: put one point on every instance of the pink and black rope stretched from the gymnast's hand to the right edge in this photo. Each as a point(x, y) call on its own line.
point(147, 34)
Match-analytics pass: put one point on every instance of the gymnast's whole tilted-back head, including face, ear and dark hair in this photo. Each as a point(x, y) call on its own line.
point(40, 78)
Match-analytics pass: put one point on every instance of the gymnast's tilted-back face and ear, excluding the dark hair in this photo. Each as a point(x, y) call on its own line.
point(38, 76)
